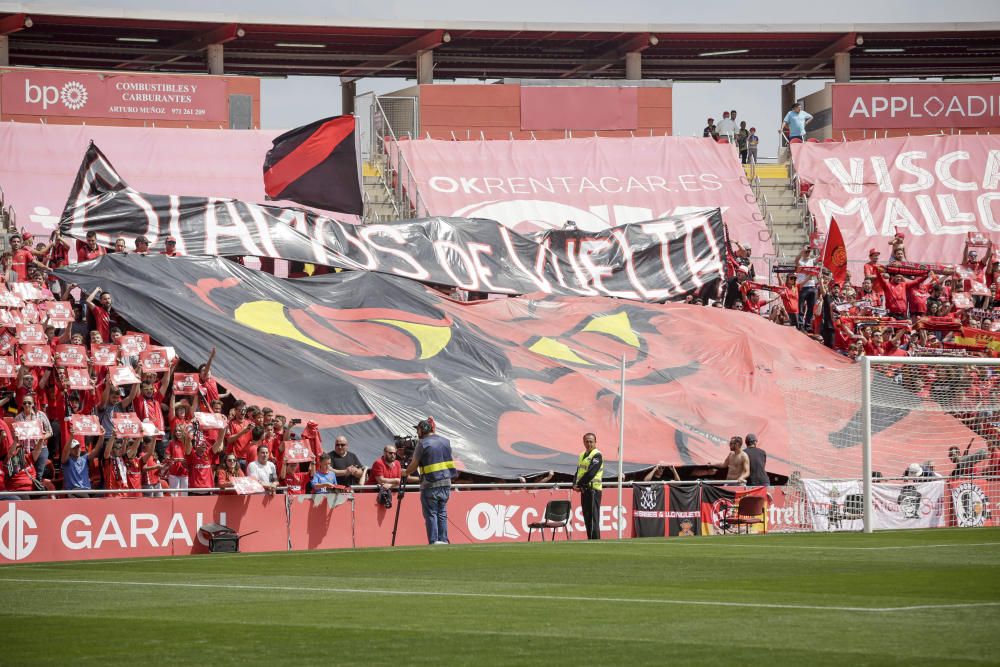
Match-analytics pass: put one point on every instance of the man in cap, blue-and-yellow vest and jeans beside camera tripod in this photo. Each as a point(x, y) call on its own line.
point(437, 469)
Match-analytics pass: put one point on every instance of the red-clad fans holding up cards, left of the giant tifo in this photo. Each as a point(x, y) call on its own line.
point(162, 431)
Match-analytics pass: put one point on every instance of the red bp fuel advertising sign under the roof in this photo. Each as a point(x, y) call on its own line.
point(82, 94)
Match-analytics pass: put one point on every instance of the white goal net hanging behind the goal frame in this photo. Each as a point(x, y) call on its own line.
point(917, 426)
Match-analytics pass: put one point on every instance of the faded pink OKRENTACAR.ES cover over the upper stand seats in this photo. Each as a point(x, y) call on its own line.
point(596, 182)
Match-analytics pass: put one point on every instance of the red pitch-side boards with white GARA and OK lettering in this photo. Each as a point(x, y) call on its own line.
point(85, 529)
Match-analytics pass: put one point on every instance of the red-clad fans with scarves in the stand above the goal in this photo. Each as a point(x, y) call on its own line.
point(893, 308)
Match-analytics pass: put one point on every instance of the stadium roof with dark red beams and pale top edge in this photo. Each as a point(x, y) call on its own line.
point(136, 35)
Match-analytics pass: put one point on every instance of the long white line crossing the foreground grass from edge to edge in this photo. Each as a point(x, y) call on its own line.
point(498, 596)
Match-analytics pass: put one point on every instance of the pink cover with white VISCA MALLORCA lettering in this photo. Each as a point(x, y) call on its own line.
point(935, 190)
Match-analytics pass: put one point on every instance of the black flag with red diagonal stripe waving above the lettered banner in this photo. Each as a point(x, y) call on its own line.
point(316, 165)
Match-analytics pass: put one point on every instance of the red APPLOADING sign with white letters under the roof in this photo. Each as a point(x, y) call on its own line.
point(915, 105)
